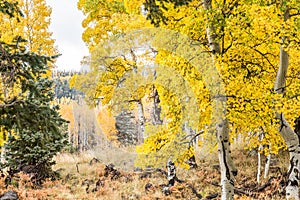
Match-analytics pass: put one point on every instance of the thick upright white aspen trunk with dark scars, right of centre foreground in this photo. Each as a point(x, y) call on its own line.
point(228, 170)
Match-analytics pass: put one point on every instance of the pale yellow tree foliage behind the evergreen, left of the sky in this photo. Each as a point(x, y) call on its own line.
point(34, 27)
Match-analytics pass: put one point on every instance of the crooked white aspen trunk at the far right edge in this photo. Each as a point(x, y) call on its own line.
point(290, 137)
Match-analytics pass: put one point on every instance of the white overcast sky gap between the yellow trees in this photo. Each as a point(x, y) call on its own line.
point(67, 30)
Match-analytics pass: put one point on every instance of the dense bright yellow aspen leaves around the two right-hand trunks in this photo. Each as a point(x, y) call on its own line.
point(249, 34)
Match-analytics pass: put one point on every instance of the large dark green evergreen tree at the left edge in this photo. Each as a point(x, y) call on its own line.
point(34, 127)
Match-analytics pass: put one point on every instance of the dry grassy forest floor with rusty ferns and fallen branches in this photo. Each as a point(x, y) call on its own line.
point(82, 177)
